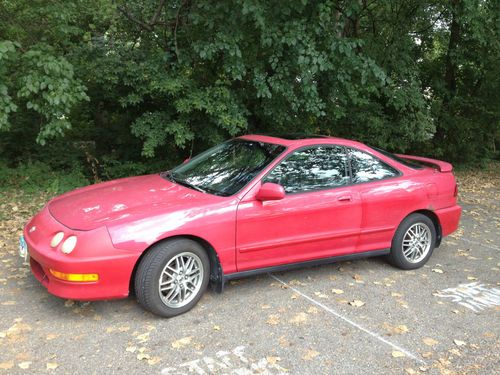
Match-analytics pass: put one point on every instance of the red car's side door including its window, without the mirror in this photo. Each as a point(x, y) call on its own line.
point(319, 216)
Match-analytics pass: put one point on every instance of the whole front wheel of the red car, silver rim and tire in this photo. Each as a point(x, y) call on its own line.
point(172, 277)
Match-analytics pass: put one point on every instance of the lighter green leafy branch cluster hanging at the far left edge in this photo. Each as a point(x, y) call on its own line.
point(42, 83)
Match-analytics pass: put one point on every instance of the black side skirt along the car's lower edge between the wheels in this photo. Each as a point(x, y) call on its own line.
point(291, 266)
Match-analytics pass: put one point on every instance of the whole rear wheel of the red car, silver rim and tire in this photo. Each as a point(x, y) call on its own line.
point(413, 242)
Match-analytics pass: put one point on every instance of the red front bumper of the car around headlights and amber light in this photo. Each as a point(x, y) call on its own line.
point(94, 253)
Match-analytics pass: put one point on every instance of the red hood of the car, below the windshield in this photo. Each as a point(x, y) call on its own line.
point(126, 199)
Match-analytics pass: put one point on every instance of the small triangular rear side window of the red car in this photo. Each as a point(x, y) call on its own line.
point(366, 167)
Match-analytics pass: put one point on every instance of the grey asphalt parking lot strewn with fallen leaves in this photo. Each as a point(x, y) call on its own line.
point(345, 318)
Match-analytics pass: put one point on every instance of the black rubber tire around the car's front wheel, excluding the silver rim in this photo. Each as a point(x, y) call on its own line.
point(150, 270)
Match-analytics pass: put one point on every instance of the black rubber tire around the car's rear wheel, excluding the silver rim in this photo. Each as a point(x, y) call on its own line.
point(396, 257)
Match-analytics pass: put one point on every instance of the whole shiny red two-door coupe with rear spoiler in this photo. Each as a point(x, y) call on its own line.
point(250, 205)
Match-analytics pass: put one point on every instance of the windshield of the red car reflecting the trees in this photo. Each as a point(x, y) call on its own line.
point(226, 168)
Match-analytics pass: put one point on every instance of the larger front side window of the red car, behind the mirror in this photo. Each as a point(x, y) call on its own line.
point(314, 168)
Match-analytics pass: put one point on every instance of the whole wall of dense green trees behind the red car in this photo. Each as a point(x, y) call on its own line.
point(148, 83)
